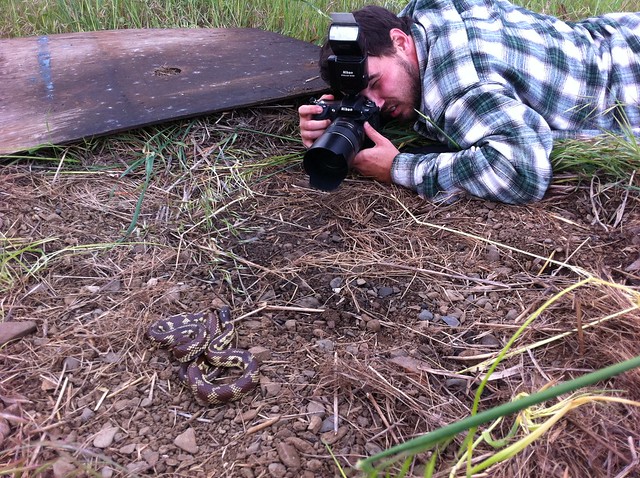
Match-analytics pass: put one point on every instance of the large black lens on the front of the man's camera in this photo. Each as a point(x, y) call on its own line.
point(328, 160)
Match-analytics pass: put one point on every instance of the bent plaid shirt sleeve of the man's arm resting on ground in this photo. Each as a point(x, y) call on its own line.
point(503, 156)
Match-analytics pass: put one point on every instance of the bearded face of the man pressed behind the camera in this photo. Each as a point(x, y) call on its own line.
point(394, 85)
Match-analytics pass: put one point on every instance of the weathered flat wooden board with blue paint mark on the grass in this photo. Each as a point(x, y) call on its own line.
point(59, 88)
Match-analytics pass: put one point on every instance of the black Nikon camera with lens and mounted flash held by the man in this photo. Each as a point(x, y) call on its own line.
point(328, 160)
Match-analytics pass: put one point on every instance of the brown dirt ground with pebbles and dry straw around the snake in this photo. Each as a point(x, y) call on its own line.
point(366, 307)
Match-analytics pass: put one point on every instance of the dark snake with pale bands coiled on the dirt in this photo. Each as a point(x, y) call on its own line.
point(201, 342)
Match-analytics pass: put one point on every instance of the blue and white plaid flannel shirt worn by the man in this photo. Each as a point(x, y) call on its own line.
point(500, 83)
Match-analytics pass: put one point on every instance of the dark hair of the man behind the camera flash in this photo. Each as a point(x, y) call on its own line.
point(375, 24)
